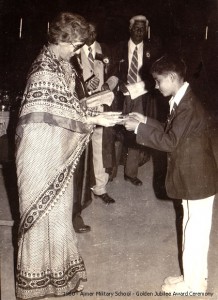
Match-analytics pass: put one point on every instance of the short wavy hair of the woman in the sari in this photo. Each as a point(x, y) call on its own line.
point(68, 27)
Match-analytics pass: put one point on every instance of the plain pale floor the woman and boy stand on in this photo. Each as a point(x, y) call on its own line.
point(131, 248)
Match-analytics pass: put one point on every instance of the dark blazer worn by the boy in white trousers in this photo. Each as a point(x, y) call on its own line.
point(192, 169)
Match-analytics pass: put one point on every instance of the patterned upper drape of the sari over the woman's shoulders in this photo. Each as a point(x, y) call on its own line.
point(50, 96)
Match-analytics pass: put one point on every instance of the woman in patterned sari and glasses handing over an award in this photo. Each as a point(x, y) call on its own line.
point(52, 132)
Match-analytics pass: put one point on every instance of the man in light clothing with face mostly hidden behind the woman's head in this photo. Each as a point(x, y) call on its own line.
point(95, 62)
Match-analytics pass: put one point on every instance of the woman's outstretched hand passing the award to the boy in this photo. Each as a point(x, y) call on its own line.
point(106, 119)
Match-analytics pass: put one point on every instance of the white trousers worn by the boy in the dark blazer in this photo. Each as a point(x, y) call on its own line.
point(197, 220)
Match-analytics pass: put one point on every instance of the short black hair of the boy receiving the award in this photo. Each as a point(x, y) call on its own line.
point(169, 63)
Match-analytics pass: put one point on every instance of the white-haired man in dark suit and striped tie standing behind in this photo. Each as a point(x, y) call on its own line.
point(133, 59)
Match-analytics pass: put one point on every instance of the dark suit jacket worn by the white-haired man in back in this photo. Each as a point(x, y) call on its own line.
point(146, 104)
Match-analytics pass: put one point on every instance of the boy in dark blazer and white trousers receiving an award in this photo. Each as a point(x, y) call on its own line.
point(191, 172)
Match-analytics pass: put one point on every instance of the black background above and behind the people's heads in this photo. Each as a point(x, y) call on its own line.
point(180, 24)
